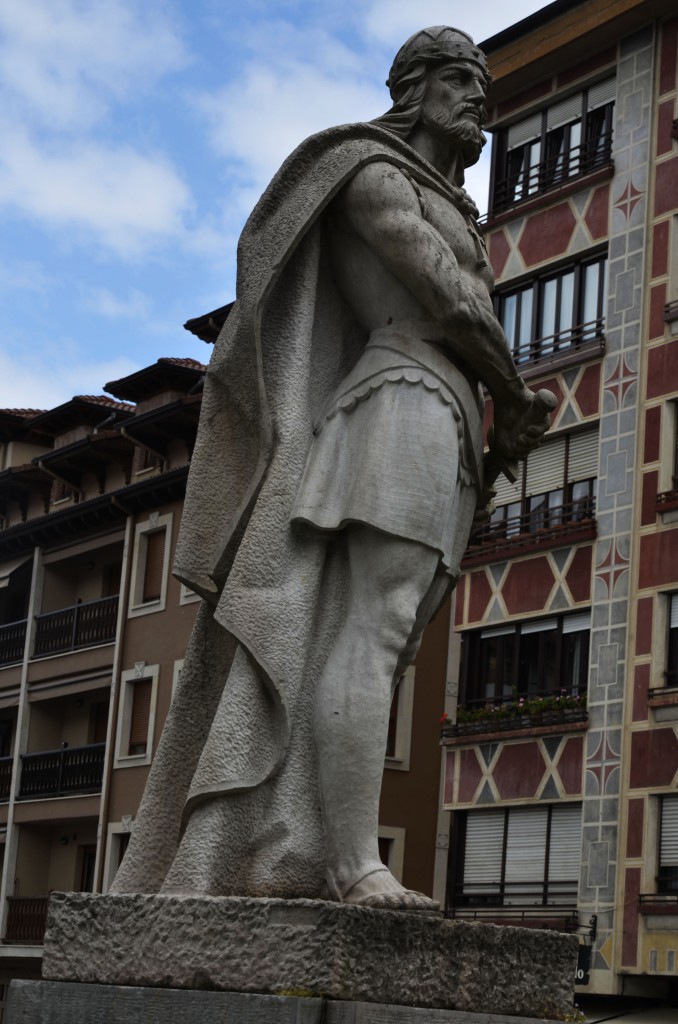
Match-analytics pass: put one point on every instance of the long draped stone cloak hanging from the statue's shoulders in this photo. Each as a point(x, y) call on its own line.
point(275, 595)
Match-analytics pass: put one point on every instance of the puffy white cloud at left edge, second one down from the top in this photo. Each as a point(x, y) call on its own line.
point(126, 200)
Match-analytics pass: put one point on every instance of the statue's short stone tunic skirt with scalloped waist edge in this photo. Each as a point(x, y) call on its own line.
point(398, 440)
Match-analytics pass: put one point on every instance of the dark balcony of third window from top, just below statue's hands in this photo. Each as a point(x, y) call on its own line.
point(538, 530)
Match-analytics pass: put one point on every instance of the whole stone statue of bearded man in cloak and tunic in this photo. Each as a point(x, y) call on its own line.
point(336, 476)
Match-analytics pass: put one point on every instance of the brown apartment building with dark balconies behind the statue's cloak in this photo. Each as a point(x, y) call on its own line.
point(94, 629)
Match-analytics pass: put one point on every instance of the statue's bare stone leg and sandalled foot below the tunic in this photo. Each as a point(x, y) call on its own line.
point(391, 581)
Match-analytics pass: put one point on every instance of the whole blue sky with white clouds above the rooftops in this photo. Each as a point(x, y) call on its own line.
point(136, 137)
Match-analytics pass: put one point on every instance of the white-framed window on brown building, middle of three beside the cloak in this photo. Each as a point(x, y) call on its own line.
point(137, 715)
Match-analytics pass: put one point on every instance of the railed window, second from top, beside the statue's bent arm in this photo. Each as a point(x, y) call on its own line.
point(556, 314)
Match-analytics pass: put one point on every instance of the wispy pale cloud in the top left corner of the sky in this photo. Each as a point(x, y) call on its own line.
point(63, 61)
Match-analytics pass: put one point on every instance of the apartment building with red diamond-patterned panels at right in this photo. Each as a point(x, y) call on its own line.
point(563, 744)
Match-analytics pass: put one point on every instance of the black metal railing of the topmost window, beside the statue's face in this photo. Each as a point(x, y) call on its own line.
point(555, 174)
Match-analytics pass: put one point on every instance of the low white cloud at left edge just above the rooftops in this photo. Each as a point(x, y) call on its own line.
point(25, 385)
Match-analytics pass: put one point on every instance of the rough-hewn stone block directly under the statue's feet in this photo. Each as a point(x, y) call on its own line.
point(309, 948)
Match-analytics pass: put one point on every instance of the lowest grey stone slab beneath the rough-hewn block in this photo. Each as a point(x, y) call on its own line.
point(64, 1003)
